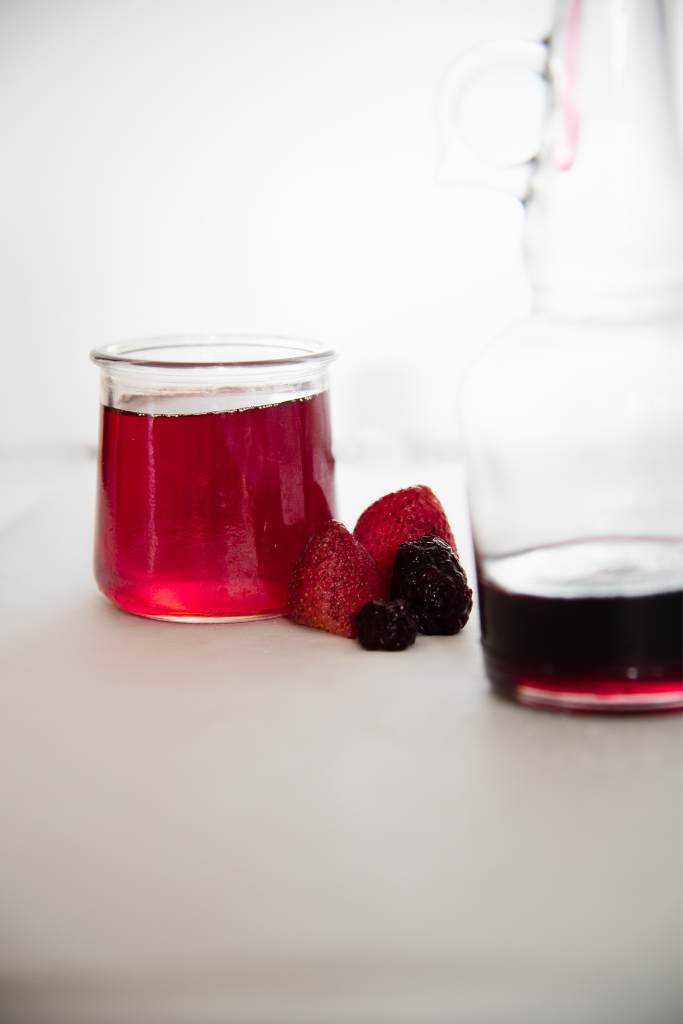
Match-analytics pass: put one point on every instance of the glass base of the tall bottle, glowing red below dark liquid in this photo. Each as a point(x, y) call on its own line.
point(583, 694)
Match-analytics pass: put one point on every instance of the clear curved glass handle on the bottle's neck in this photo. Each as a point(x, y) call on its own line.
point(458, 160)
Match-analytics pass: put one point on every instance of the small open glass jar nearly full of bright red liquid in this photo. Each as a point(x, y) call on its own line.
point(216, 465)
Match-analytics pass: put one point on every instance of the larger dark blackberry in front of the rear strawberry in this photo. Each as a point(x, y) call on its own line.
point(430, 578)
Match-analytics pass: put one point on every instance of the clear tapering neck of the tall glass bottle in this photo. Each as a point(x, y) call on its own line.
point(605, 225)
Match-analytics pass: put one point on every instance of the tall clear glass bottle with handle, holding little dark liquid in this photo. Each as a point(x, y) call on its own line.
point(573, 421)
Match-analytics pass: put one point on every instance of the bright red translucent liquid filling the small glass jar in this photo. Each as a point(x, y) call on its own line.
point(203, 517)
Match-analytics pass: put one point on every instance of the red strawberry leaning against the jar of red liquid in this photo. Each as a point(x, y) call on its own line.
point(332, 580)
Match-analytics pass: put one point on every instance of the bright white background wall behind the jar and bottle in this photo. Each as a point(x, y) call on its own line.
point(264, 167)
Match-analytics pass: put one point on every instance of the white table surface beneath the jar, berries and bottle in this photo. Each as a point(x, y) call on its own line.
point(261, 823)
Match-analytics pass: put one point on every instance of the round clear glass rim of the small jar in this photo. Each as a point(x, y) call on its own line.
point(248, 352)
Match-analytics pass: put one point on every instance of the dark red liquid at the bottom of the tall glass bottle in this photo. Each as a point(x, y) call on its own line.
point(585, 654)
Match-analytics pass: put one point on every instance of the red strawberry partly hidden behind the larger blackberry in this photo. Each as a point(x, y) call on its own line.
point(403, 516)
